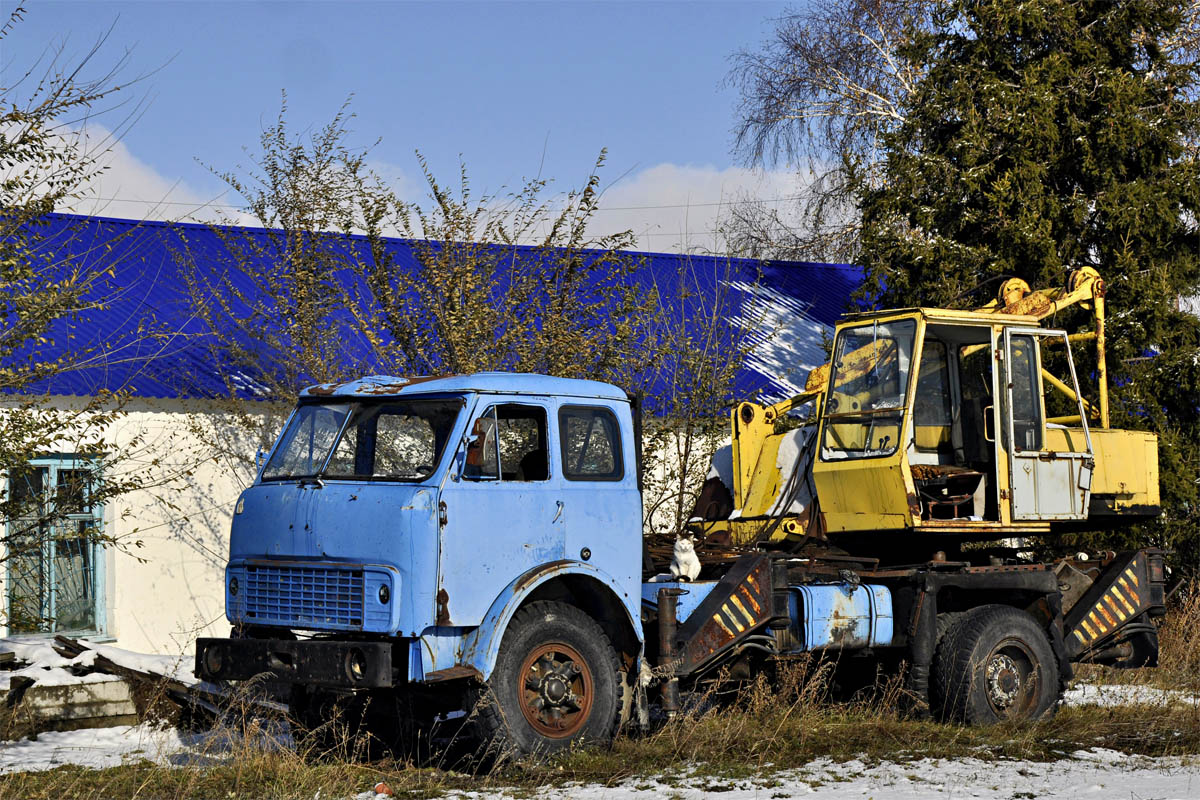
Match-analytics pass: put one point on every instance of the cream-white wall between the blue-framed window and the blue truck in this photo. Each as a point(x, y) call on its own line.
point(165, 575)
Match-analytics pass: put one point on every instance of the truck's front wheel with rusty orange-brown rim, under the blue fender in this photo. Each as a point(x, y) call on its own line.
point(555, 684)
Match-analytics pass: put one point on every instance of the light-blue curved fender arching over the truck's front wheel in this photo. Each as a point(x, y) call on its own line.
point(482, 646)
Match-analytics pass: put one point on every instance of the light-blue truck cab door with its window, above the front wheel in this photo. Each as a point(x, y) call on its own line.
point(501, 507)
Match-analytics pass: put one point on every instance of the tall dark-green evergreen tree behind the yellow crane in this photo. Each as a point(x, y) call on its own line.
point(1048, 136)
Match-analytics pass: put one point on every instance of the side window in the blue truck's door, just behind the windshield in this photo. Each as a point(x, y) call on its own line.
point(509, 444)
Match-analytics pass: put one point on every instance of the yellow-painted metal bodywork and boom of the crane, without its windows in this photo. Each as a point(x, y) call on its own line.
point(878, 494)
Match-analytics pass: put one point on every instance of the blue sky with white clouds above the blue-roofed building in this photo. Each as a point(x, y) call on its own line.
point(512, 87)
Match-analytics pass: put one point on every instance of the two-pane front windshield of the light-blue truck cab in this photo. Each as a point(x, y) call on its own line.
point(400, 441)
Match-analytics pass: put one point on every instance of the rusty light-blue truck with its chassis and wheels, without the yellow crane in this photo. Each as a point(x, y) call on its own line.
point(476, 543)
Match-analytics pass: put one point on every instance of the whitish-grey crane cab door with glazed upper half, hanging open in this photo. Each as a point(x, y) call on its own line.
point(1045, 484)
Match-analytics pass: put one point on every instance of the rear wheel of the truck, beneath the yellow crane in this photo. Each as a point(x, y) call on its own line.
point(995, 664)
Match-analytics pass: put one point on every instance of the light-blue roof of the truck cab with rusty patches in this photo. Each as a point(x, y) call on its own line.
point(488, 383)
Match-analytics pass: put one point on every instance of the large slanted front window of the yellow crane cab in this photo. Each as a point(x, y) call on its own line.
point(865, 412)
